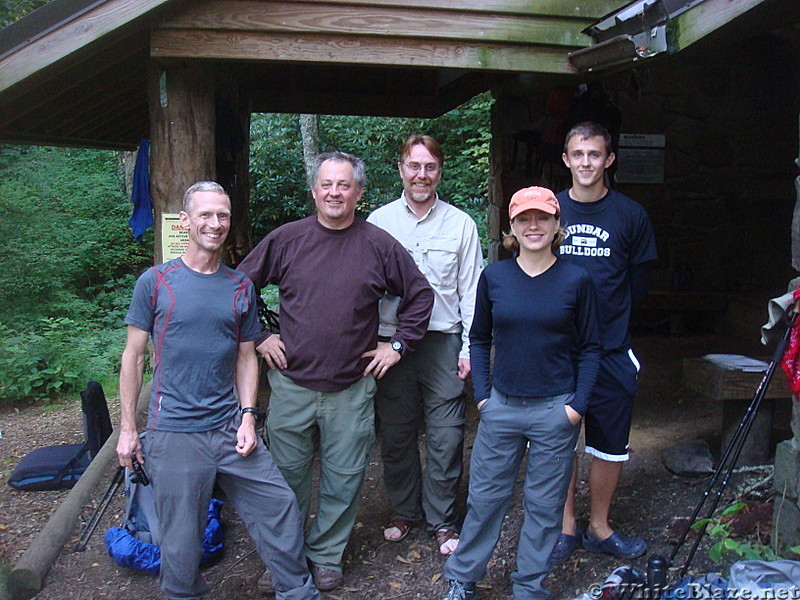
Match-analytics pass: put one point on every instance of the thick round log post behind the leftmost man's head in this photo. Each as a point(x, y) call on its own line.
point(182, 121)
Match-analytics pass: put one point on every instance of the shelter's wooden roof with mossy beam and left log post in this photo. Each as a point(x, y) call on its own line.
point(188, 74)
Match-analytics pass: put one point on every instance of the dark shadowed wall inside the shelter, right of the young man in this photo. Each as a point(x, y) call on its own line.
point(730, 121)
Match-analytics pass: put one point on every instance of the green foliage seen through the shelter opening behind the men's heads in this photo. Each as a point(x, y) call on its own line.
point(280, 193)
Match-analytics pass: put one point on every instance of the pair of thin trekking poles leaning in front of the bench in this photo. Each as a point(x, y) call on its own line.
point(734, 448)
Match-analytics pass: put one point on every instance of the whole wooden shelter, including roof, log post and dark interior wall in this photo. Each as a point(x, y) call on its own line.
point(187, 74)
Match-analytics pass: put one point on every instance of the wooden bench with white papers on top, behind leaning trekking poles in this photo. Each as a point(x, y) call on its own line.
point(736, 388)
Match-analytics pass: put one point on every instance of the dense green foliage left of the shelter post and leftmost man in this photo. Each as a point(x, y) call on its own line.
point(67, 278)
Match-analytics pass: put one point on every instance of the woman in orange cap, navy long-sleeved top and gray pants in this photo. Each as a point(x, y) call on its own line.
point(539, 313)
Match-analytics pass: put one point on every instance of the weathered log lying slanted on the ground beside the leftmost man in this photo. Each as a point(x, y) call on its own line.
point(27, 577)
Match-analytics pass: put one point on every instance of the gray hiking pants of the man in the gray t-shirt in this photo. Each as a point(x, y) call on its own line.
point(183, 467)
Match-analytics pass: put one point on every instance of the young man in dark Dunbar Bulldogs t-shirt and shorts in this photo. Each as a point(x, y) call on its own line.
point(610, 235)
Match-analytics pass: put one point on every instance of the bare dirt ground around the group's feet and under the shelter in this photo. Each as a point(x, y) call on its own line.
point(650, 502)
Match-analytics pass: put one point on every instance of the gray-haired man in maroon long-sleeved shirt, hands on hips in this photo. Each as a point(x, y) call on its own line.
point(332, 269)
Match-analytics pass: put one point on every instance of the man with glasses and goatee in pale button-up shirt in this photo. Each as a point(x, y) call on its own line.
point(428, 384)
